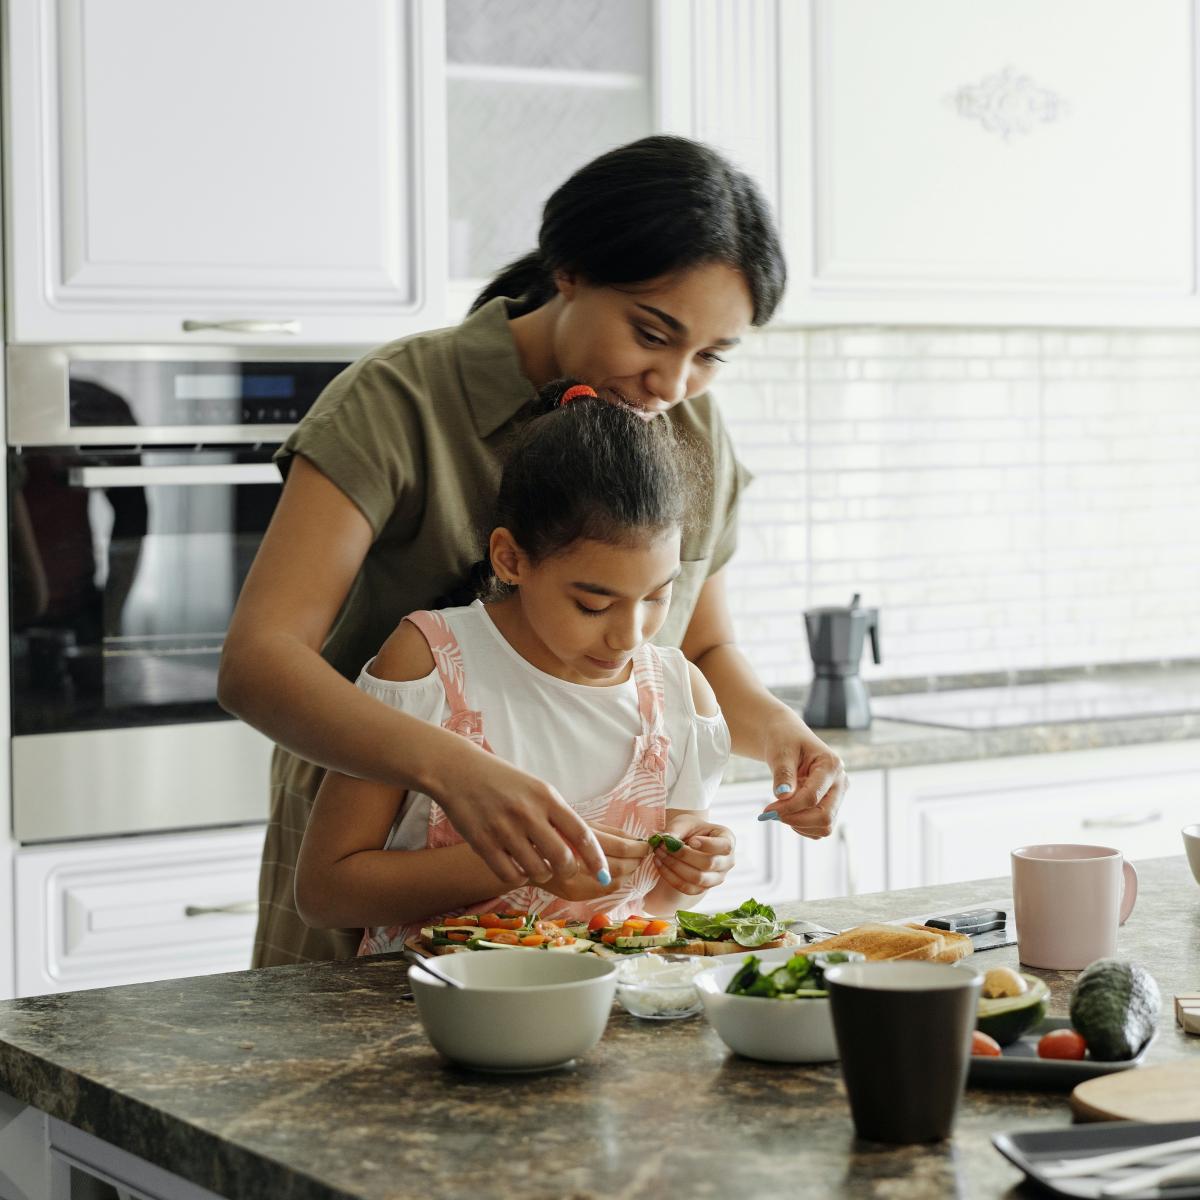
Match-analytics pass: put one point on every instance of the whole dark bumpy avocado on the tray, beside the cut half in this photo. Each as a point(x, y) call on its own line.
point(1115, 1007)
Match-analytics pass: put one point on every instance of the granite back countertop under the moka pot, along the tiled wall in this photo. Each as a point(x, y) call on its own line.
point(909, 743)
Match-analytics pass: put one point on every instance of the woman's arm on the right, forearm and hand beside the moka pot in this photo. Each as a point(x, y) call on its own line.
point(809, 778)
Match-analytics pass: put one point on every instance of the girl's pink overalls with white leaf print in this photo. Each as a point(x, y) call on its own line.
point(637, 806)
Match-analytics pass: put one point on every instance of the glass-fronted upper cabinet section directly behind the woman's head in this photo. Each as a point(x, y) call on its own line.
point(535, 92)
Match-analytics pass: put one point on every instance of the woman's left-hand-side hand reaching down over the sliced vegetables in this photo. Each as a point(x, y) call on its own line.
point(518, 825)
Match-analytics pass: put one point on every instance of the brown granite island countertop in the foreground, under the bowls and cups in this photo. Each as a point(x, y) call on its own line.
point(317, 1082)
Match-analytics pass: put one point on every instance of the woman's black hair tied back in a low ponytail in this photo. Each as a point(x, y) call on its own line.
point(657, 206)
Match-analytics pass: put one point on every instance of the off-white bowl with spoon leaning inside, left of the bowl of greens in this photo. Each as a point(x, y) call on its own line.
point(518, 1012)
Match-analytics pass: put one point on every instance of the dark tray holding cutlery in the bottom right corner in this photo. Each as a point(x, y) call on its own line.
point(1031, 1153)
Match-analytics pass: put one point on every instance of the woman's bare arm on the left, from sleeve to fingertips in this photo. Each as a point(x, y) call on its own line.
point(274, 679)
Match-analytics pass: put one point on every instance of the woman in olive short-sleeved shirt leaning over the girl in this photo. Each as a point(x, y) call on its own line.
point(653, 261)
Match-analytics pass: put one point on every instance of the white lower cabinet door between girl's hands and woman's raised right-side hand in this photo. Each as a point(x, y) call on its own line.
point(769, 856)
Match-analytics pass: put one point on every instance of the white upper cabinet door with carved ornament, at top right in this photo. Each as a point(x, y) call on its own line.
point(998, 161)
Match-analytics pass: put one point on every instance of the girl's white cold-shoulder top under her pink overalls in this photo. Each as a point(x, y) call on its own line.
point(575, 737)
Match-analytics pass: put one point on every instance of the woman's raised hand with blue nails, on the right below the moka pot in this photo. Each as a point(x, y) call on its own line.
point(809, 778)
